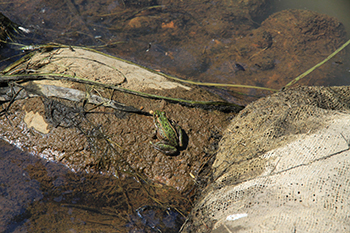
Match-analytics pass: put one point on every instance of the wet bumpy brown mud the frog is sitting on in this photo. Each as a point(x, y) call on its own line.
point(98, 138)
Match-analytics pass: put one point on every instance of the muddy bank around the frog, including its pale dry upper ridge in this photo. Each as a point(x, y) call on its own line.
point(116, 132)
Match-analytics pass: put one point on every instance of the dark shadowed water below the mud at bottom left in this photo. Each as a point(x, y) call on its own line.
point(39, 196)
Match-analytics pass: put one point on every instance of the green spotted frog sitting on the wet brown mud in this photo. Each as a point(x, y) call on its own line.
point(169, 134)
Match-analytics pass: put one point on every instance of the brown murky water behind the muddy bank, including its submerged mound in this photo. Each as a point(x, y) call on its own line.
point(215, 41)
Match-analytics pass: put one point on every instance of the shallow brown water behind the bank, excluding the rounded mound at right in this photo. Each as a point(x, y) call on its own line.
point(162, 34)
